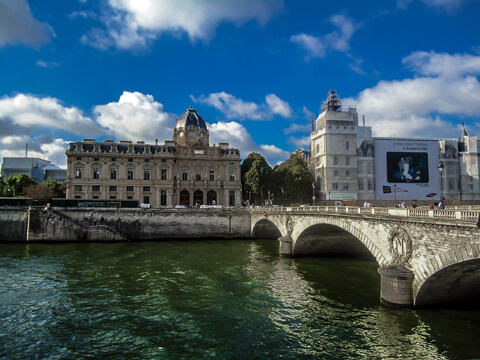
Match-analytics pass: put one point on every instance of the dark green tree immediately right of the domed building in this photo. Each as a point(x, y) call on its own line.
point(257, 175)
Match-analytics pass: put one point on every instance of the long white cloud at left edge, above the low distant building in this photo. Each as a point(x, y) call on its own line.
point(28, 112)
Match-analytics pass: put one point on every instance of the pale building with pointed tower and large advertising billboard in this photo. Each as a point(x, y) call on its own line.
point(350, 164)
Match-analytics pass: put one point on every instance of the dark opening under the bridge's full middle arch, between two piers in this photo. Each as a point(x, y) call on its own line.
point(327, 240)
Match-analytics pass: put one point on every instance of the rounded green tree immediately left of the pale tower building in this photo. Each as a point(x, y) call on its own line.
point(293, 180)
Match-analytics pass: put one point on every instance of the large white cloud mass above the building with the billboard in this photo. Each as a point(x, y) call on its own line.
point(444, 85)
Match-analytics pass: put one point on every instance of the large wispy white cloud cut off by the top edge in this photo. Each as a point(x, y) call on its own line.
point(132, 24)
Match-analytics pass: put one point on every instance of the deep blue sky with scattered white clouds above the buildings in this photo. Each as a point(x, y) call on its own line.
point(257, 71)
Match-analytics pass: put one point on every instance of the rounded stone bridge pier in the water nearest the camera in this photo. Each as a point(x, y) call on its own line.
point(396, 285)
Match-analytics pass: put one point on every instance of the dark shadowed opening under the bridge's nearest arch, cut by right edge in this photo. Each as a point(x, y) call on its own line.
point(456, 284)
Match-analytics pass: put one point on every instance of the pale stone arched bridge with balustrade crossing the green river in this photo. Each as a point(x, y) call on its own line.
point(425, 257)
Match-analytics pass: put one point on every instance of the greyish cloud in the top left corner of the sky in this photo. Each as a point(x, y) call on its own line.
point(18, 26)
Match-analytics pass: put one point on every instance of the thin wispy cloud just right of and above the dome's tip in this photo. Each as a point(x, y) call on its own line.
point(235, 108)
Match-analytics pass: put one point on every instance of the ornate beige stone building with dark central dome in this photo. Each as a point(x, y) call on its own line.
point(184, 171)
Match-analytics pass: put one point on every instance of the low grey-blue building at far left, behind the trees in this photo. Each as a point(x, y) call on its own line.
point(38, 169)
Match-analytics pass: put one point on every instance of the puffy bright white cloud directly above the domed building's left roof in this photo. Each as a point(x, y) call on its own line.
point(137, 116)
